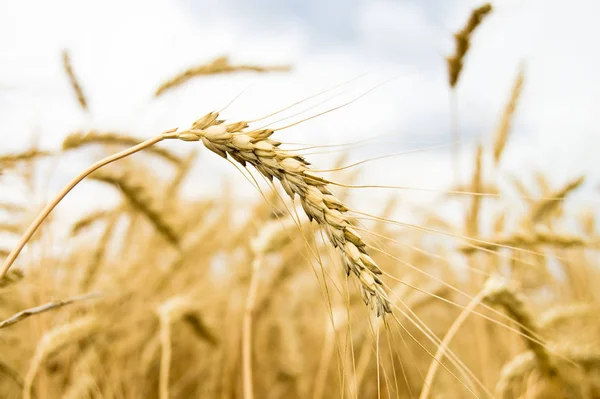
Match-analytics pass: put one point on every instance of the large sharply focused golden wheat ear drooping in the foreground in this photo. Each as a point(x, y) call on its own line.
point(255, 147)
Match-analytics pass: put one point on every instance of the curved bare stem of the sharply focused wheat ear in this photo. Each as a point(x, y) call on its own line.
point(59, 197)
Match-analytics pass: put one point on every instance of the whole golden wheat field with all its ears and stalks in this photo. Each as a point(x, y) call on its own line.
point(297, 293)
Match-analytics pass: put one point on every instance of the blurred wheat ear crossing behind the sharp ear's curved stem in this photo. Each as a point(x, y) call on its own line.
point(80, 139)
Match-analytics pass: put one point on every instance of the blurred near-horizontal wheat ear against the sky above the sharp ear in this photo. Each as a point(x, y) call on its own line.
point(217, 66)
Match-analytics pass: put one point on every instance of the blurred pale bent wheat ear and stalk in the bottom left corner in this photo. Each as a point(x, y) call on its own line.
point(52, 341)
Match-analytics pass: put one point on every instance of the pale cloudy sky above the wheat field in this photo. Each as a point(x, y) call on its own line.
point(122, 50)
